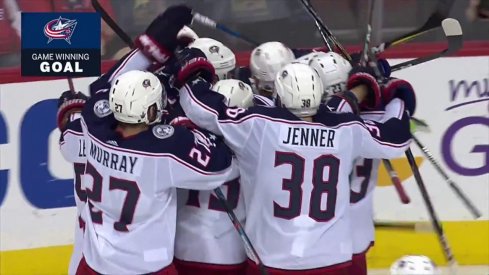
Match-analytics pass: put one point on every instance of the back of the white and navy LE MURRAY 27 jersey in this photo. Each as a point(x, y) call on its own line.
point(131, 196)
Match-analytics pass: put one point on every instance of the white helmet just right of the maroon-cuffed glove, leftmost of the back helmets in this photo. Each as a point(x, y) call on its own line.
point(220, 56)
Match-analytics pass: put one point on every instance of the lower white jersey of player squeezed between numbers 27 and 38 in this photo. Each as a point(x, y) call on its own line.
point(205, 233)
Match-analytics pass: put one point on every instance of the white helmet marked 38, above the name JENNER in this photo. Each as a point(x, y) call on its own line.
point(299, 89)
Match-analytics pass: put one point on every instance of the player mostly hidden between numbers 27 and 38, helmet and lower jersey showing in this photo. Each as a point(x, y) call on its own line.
point(206, 241)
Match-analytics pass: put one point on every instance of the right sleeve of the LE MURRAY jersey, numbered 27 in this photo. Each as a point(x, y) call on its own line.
point(203, 161)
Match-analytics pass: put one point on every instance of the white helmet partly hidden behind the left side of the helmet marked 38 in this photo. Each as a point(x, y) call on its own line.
point(266, 60)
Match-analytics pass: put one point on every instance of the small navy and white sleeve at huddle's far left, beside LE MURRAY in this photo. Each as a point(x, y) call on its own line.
point(71, 142)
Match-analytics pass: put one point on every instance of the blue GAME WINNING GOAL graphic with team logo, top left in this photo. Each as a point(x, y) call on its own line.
point(60, 44)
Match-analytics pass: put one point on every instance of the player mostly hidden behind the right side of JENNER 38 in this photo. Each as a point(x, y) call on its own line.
point(333, 70)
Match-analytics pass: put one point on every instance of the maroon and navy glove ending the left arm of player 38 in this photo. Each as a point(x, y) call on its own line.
point(194, 64)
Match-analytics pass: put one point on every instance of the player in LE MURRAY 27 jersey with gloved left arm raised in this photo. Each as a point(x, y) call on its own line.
point(134, 163)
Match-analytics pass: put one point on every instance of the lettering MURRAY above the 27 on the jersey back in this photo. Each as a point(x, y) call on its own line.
point(113, 160)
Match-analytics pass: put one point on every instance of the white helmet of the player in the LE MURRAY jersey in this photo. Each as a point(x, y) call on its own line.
point(133, 93)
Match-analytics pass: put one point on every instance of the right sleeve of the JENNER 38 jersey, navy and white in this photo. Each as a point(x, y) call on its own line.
point(386, 140)
